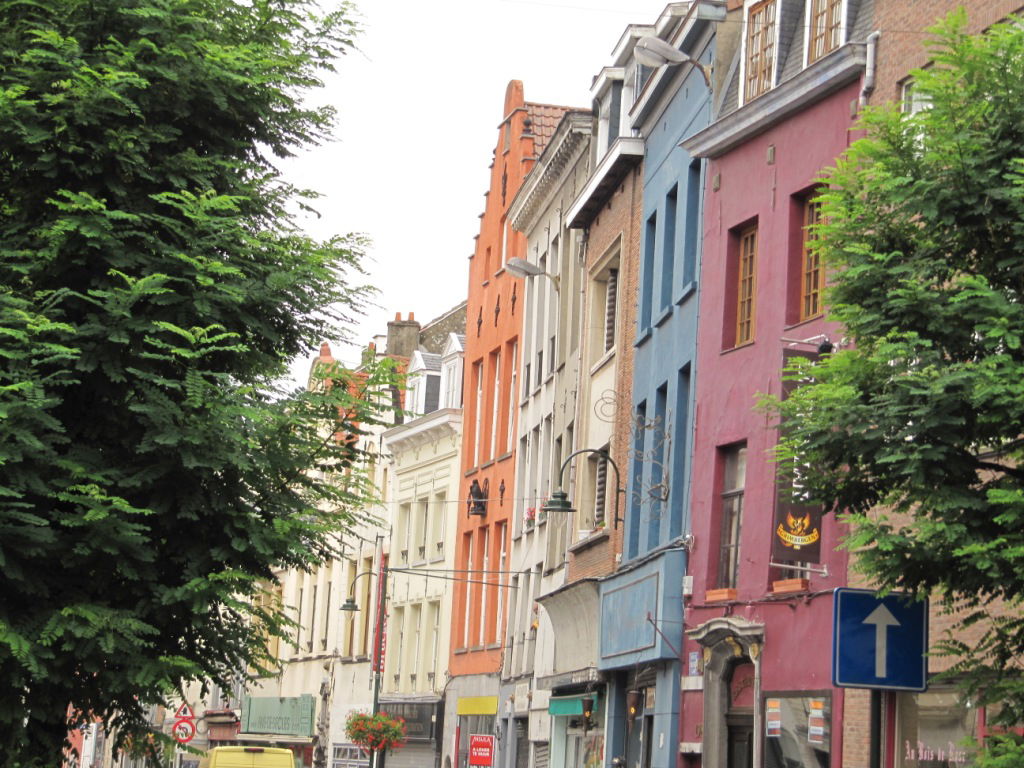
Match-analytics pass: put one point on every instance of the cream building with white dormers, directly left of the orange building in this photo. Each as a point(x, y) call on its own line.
point(423, 456)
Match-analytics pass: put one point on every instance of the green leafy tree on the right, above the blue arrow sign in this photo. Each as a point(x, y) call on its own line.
point(916, 431)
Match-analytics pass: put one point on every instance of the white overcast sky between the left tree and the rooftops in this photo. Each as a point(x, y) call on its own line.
point(418, 107)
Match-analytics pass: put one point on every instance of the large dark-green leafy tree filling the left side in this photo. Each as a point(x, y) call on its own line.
point(154, 285)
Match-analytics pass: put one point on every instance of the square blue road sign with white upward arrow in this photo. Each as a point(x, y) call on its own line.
point(879, 643)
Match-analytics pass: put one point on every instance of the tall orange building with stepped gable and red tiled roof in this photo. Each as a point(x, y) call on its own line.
point(494, 324)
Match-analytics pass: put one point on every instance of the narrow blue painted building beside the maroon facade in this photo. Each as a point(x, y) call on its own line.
point(642, 606)
